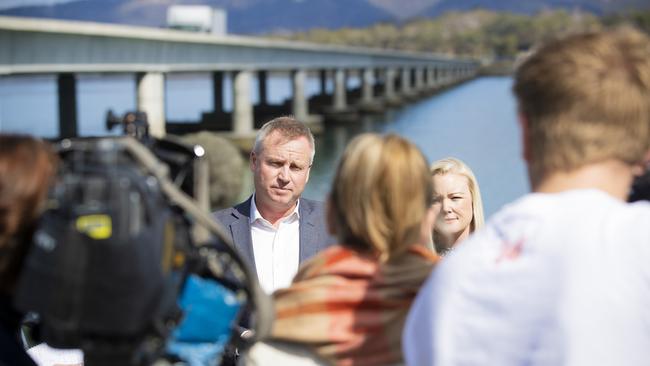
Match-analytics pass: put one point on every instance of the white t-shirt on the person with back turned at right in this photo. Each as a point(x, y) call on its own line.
point(553, 279)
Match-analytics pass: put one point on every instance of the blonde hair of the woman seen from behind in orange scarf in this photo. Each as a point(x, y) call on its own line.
point(380, 195)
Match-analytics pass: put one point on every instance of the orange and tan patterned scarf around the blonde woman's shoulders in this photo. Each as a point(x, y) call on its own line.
point(349, 308)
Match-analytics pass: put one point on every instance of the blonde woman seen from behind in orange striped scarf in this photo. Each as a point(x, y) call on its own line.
point(347, 305)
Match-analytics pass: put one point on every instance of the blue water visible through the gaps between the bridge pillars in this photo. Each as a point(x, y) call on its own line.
point(28, 103)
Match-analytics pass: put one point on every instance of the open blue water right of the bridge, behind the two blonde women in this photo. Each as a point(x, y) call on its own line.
point(475, 122)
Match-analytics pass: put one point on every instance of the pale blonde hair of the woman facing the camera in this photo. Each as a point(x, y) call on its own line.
point(457, 166)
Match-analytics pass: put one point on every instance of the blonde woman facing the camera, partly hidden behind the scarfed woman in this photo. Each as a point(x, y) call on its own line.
point(457, 202)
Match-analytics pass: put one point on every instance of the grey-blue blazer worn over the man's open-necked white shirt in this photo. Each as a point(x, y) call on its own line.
point(313, 235)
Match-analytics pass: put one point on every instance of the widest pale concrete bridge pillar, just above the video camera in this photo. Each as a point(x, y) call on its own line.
point(151, 100)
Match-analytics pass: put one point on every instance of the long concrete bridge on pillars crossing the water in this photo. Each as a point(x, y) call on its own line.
point(66, 48)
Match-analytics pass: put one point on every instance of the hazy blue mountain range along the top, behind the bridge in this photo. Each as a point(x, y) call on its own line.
point(286, 16)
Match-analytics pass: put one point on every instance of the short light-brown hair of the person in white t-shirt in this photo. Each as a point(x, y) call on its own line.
point(586, 99)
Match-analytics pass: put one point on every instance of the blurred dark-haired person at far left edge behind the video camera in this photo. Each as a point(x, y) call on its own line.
point(27, 167)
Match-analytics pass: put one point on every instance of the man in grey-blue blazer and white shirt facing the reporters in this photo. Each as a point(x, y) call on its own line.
point(275, 230)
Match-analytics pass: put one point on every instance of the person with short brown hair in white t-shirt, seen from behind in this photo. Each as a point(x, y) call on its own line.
point(562, 275)
